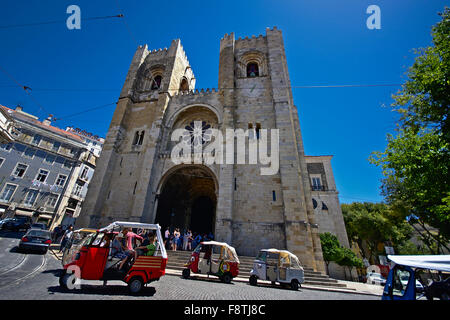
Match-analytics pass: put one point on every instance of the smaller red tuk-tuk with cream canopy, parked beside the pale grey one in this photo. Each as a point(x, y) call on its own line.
point(213, 258)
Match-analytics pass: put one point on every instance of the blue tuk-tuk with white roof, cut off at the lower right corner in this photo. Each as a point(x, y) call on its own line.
point(408, 271)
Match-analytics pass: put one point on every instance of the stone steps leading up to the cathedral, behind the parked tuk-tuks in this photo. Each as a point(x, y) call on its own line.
point(177, 259)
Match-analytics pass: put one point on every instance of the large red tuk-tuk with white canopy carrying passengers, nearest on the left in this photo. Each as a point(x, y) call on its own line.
point(91, 259)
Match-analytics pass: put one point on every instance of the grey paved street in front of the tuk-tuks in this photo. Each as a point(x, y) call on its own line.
point(35, 276)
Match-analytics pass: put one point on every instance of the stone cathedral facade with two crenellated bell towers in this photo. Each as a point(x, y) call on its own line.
point(136, 179)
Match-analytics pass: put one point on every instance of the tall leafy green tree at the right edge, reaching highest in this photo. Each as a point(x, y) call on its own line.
point(416, 161)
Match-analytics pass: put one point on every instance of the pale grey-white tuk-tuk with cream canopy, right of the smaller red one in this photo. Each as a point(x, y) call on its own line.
point(277, 266)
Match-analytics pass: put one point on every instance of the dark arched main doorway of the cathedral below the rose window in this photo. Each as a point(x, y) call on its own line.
point(187, 199)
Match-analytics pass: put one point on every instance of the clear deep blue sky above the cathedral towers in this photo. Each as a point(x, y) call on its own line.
point(327, 43)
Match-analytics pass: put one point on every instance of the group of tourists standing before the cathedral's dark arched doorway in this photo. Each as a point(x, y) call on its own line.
point(187, 241)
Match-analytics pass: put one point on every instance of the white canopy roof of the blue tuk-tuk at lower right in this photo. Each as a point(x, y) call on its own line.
point(433, 262)
